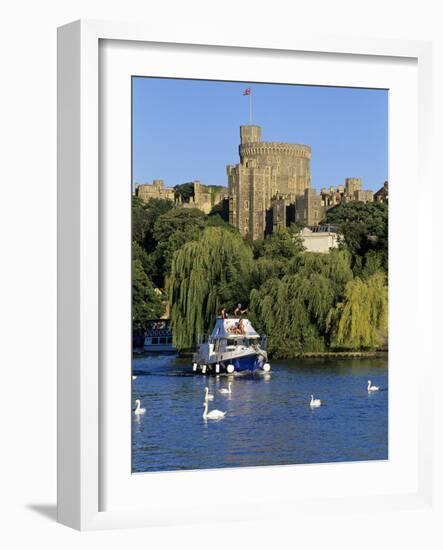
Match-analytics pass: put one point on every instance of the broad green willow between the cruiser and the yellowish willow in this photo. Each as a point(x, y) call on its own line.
point(292, 304)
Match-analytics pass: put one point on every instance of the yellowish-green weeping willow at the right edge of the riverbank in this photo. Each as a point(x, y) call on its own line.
point(361, 320)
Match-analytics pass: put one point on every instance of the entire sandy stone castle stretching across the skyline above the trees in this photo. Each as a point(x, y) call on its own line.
point(269, 188)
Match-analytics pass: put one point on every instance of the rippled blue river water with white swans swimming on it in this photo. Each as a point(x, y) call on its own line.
point(268, 421)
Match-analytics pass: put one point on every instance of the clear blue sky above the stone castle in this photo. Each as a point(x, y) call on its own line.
point(185, 130)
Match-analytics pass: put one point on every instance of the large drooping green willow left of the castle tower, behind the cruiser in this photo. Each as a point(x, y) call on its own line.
point(206, 274)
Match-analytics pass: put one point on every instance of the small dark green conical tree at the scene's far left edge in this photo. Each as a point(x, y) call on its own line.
point(146, 304)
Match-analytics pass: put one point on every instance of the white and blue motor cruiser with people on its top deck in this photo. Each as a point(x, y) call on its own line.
point(233, 346)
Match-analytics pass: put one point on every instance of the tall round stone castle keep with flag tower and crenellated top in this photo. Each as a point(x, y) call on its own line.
point(268, 179)
